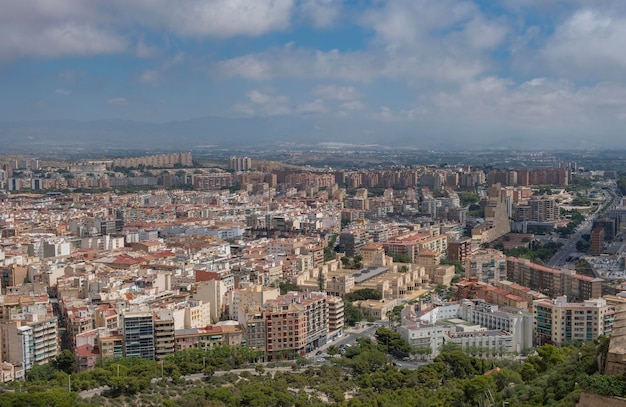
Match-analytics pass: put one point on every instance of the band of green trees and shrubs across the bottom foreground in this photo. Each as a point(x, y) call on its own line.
point(363, 377)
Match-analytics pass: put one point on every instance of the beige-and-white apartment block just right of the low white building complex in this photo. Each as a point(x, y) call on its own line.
point(558, 321)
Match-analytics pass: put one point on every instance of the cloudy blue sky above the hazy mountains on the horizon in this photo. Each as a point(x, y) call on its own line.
point(550, 71)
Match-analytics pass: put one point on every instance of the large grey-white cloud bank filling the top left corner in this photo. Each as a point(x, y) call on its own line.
point(57, 28)
